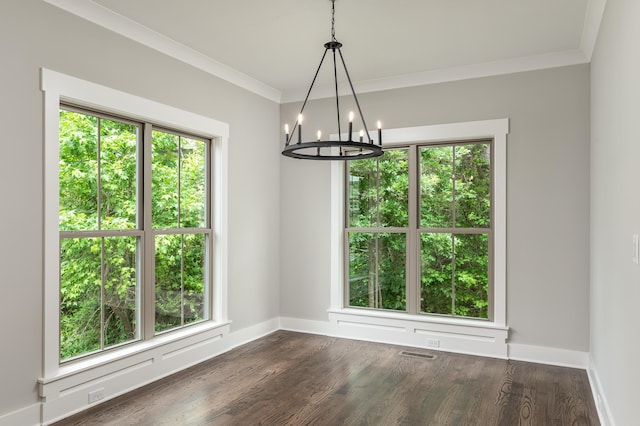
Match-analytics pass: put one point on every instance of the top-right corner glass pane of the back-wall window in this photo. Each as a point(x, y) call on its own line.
point(473, 185)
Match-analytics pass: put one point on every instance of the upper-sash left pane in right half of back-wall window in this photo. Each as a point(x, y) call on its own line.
point(436, 187)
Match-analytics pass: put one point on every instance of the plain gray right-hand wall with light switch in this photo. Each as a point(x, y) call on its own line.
point(615, 207)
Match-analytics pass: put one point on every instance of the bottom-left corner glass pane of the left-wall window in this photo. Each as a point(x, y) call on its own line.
point(80, 287)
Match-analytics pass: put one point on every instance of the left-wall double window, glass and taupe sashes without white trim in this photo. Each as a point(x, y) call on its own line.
point(107, 239)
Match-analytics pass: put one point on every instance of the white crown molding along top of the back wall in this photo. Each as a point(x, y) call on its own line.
point(443, 75)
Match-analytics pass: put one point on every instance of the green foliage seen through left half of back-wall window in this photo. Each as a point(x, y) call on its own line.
point(378, 198)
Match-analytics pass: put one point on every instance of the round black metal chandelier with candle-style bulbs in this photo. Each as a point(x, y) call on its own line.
point(333, 149)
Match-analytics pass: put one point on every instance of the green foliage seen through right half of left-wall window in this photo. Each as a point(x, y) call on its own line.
point(178, 201)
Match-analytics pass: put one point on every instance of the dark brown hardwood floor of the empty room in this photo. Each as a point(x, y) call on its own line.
point(289, 378)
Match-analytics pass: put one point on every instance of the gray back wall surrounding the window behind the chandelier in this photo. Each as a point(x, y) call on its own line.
point(547, 196)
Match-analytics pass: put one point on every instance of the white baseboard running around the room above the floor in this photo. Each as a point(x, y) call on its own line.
point(65, 400)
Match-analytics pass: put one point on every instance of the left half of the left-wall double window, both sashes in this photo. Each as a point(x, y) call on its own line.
point(99, 233)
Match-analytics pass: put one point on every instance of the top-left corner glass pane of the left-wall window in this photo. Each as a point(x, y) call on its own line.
point(78, 171)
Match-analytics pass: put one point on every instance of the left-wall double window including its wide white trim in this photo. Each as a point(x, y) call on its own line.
point(170, 276)
